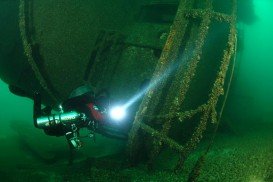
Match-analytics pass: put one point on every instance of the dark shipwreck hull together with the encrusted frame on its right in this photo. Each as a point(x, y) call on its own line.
point(187, 50)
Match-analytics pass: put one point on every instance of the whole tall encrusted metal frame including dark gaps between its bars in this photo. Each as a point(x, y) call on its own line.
point(173, 108)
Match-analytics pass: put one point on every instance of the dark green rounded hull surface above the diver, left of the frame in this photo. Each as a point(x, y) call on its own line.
point(97, 43)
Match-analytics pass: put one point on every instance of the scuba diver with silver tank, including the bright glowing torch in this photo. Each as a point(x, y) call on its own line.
point(84, 109)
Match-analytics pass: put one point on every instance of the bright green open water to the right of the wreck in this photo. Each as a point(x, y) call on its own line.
point(251, 100)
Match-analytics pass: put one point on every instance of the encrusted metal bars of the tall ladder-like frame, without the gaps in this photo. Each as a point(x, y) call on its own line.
point(181, 82)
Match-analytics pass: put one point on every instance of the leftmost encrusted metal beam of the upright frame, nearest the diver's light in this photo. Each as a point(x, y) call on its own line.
point(169, 54)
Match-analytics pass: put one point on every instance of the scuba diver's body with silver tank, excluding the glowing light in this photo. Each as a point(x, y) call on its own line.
point(83, 109)
